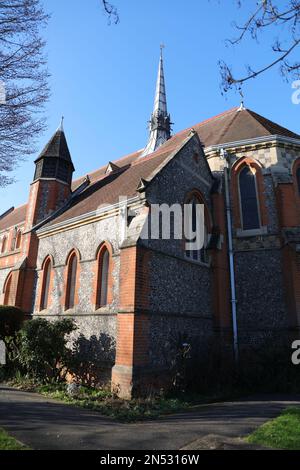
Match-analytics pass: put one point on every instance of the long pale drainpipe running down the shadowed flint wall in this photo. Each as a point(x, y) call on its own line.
point(224, 155)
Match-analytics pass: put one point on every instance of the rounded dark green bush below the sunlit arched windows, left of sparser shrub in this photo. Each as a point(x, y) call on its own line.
point(42, 349)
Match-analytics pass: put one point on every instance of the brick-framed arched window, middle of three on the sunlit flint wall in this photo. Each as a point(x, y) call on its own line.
point(72, 280)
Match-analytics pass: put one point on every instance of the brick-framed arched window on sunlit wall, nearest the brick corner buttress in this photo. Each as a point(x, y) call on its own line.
point(103, 288)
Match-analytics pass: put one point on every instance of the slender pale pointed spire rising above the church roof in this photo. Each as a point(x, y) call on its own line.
point(160, 122)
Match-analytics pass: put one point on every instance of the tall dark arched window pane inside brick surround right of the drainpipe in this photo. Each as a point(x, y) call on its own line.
point(248, 199)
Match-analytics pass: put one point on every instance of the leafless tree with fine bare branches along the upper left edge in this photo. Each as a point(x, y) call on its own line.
point(23, 81)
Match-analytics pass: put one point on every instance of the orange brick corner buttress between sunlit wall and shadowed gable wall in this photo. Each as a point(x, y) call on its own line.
point(133, 323)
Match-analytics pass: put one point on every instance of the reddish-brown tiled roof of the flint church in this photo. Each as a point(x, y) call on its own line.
point(231, 126)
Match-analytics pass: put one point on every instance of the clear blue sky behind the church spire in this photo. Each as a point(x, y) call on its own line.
point(103, 77)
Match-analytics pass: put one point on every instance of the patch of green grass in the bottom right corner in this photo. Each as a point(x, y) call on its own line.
point(280, 433)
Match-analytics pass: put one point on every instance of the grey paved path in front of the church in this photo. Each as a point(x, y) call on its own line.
point(43, 423)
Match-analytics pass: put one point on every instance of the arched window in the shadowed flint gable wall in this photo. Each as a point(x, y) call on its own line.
point(196, 223)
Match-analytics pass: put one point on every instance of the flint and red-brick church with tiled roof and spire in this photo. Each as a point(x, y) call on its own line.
point(76, 249)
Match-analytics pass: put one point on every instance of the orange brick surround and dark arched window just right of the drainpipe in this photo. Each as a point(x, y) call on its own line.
point(248, 197)
